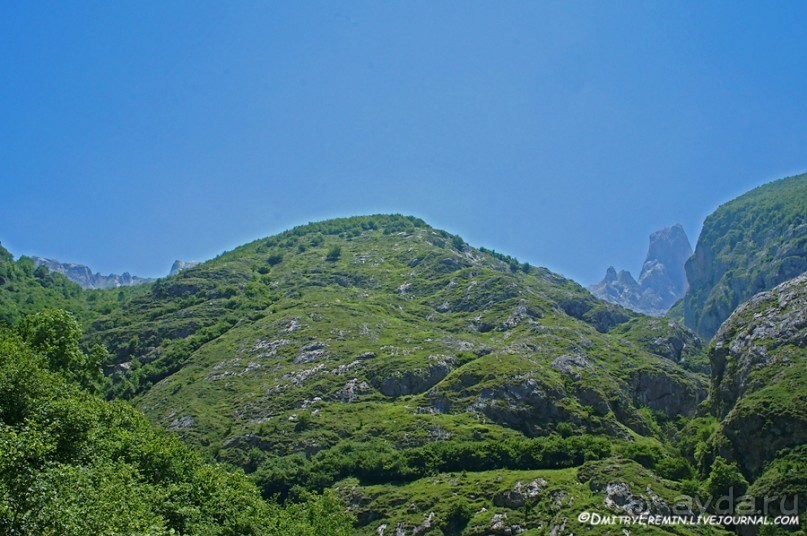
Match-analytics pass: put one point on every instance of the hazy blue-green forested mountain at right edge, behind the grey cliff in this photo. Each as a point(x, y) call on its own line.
point(747, 245)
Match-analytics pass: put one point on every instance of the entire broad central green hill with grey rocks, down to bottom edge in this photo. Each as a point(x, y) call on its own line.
point(372, 353)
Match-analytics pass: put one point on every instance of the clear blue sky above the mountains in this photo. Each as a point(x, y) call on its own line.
point(563, 133)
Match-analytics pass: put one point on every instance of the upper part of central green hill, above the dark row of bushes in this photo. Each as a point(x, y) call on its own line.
point(380, 309)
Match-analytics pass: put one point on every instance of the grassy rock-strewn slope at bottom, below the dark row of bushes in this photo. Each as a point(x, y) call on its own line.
point(535, 502)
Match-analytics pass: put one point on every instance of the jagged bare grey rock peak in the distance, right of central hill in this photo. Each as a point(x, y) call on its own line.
point(662, 280)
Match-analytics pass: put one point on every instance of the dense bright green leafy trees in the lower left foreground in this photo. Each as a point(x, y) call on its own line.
point(71, 463)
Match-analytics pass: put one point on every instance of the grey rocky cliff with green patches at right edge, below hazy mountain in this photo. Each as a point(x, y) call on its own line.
point(759, 376)
